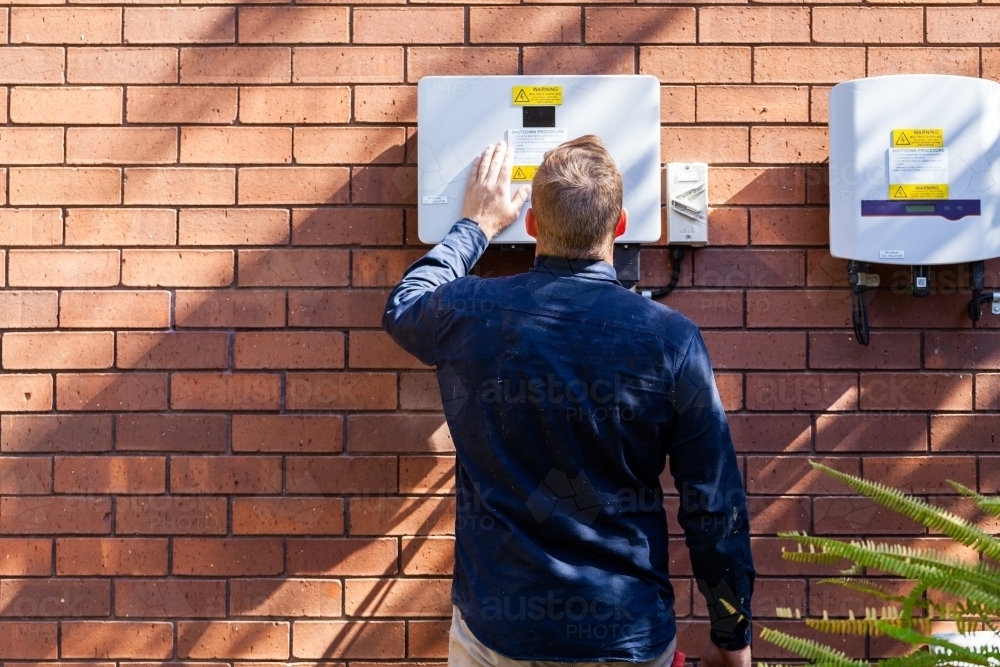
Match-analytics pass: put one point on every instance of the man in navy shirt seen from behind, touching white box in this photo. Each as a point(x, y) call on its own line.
point(565, 393)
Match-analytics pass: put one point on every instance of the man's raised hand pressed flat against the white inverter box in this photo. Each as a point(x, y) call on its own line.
point(487, 196)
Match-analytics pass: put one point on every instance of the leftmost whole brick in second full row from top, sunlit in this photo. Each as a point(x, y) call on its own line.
point(121, 65)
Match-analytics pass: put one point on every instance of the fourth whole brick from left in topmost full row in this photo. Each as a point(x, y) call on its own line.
point(437, 25)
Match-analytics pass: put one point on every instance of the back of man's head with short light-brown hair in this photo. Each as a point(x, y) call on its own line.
point(576, 198)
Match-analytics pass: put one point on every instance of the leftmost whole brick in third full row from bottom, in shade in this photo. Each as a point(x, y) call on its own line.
point(76, 556)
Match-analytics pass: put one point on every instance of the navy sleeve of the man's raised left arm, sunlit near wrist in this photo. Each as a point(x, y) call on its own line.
point(411, 311)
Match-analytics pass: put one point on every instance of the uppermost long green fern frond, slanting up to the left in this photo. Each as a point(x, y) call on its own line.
point(920, 511)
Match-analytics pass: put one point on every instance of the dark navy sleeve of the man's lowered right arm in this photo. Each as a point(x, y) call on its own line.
point(713, 504)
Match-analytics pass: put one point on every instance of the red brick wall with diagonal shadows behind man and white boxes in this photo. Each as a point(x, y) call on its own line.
point(209, 450)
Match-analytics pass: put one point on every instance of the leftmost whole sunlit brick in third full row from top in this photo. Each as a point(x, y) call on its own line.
point(66, 105)
